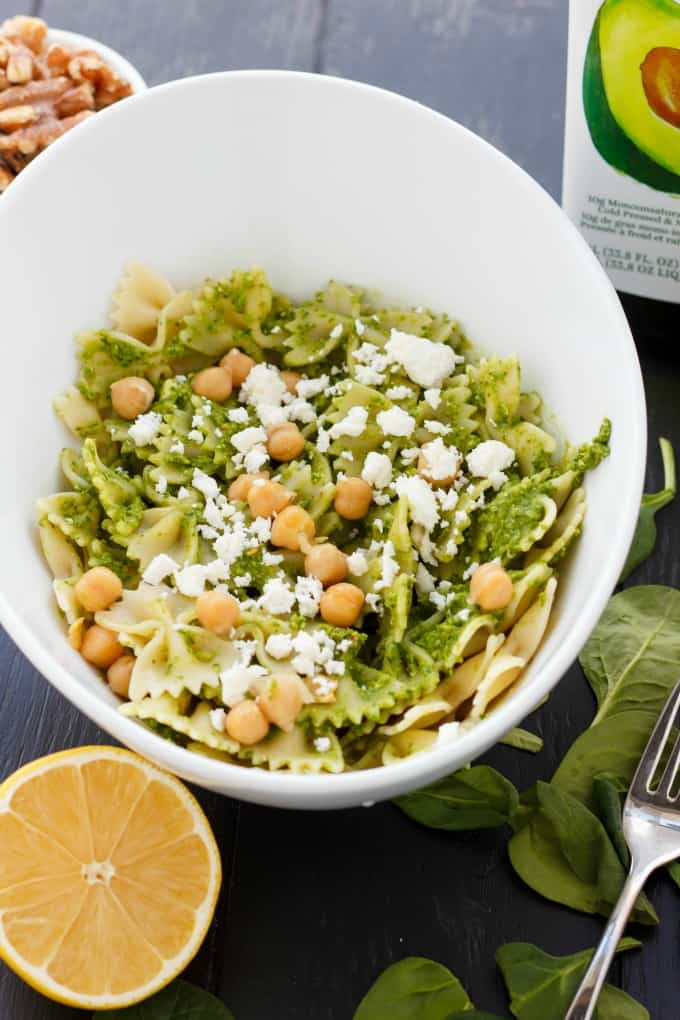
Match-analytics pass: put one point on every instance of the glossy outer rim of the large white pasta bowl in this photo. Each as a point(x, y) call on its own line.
point(326, 791)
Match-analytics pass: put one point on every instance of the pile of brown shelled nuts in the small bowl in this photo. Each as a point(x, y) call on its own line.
point(46, 90)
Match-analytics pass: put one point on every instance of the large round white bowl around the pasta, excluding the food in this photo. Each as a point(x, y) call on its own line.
point(313, 178)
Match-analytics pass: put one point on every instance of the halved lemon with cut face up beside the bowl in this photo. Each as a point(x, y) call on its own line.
point(110, 876)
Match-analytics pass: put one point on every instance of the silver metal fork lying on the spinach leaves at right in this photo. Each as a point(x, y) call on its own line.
point(652, 829)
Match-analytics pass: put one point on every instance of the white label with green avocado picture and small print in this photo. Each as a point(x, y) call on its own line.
point(622, 149)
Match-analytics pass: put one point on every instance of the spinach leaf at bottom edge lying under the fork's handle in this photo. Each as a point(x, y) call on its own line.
point(542, 987)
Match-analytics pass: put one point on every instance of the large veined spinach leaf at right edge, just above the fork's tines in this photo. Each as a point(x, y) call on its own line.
point(632, 658)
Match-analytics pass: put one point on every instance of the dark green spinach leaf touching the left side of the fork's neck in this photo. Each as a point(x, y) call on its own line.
point(562, 851)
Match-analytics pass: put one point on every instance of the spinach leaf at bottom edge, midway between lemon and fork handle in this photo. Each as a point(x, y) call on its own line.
point(414, 989)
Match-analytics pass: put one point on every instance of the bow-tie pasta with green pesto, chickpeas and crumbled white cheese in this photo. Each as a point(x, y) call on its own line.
point(319, 536)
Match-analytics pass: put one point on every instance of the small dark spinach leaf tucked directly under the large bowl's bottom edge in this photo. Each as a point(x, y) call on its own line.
point(473, 799)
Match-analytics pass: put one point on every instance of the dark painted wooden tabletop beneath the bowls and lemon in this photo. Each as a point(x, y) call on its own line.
point(315, 906)
